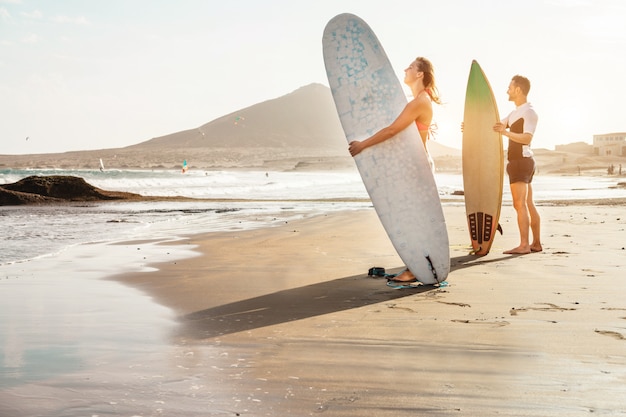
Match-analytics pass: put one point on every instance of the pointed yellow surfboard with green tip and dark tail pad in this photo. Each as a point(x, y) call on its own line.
point(483, 161)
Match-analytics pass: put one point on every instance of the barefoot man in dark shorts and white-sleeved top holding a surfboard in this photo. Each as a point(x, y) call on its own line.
point(521, 124)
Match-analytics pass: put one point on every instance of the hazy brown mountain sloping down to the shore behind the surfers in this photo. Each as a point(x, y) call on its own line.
point(298, 129)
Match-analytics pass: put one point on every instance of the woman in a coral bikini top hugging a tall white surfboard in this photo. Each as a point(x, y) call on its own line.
point(420, 77)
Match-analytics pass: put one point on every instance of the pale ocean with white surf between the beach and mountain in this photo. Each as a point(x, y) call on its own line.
point(241, 199)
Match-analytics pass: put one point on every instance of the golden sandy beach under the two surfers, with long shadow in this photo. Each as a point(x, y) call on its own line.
point(284, 321)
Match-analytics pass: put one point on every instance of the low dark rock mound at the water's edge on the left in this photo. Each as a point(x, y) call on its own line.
point(55, 189)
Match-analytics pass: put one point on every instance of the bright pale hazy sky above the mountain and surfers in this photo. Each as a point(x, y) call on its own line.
point(89, 74)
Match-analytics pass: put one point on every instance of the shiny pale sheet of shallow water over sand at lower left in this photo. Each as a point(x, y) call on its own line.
point(75, 344)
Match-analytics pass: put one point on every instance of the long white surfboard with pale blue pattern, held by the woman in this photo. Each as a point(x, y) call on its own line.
point(396, 173)
